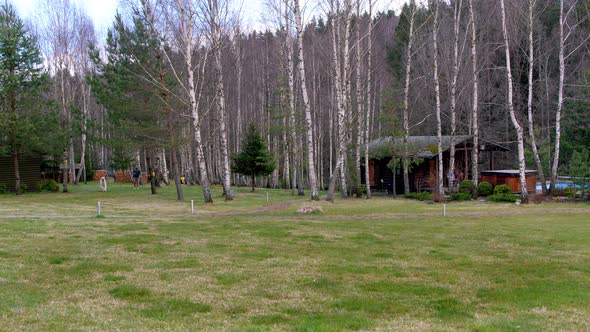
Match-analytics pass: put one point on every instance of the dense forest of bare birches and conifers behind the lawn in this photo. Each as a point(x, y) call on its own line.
point(175, 84)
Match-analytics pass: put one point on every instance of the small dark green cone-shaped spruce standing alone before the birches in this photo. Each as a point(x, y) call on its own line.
point(254, 159)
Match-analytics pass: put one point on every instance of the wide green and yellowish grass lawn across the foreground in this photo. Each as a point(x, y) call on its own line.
point(150, 265)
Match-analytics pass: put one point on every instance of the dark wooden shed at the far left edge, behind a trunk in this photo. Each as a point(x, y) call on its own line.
point(30, 172)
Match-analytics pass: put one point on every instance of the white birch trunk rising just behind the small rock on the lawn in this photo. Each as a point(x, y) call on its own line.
point(308, 120)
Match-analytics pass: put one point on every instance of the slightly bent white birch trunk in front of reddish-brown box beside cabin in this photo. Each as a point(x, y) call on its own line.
point(515, 123)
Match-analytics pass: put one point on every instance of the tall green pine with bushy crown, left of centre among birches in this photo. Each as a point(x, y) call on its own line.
point(135, 88)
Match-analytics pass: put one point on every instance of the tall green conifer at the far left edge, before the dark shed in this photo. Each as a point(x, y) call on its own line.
point(25, 125)
